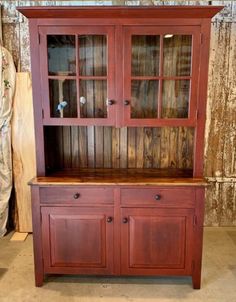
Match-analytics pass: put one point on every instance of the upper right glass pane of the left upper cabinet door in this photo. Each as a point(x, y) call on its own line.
point(93, 55)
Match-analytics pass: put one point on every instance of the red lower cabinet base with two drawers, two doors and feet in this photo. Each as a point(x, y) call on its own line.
point(119, 236)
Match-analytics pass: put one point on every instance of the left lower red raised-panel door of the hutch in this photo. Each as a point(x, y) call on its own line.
point(77, 240)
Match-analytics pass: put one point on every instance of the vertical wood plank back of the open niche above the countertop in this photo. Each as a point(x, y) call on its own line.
point(108, 147)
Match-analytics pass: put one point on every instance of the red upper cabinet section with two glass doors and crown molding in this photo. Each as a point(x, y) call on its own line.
point(116, 66)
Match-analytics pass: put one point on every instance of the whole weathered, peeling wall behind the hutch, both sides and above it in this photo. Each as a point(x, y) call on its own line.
point(220, 151)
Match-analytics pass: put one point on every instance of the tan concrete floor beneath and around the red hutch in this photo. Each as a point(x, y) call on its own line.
point(218, 278)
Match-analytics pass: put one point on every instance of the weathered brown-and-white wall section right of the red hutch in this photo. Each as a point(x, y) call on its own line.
point(220, 151)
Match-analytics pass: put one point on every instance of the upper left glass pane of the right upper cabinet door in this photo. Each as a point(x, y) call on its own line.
point(145, 55)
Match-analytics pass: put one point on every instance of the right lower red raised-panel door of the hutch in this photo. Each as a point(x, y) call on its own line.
point(156, 241)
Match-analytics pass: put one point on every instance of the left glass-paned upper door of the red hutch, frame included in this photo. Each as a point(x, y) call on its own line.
point(78, 80)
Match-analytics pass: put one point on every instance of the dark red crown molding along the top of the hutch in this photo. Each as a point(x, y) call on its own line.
point(121, 12)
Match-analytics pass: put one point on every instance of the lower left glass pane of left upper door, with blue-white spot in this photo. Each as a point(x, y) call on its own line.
point(63, 99)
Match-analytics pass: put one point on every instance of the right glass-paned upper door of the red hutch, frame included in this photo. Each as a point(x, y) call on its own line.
point(159, 68)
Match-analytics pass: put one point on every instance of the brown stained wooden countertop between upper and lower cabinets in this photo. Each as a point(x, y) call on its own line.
point(120, 177)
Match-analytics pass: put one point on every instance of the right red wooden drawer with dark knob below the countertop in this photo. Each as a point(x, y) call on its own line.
point(160, 197)
